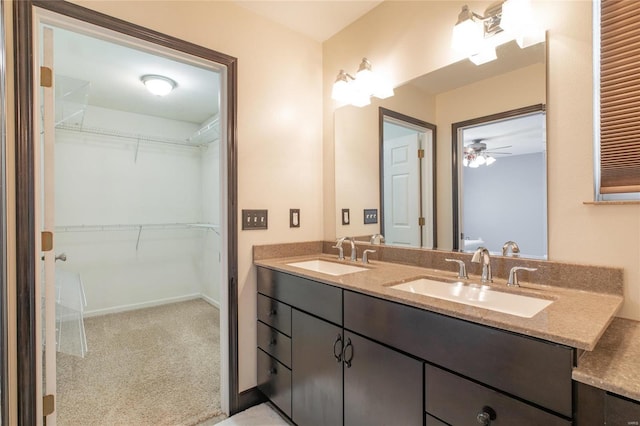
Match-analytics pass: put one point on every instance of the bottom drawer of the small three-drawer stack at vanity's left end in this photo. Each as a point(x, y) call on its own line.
point(274, 380)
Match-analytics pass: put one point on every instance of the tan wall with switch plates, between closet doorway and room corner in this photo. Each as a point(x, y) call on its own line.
point(279, 129)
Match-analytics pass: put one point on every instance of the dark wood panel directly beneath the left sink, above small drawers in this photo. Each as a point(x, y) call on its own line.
point(316, 298)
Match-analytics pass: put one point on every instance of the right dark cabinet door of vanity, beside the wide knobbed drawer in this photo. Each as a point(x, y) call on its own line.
point(381, 385)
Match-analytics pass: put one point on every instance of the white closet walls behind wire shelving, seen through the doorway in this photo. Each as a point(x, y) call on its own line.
point(111, 184)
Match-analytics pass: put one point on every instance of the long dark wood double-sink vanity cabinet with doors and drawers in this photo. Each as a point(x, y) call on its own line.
point(360, 360)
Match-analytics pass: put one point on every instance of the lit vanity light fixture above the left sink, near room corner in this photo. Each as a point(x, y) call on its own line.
point(358, 90)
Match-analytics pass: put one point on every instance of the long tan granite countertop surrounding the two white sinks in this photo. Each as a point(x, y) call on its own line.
point(577, 318)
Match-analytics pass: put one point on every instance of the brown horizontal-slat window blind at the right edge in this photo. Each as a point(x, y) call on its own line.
point(619, 97)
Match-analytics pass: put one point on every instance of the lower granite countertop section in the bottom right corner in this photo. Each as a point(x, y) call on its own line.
point(614, 365)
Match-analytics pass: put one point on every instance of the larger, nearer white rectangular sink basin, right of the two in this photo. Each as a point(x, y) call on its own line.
point(477, 295)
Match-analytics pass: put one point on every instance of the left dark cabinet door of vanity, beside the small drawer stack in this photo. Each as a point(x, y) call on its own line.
point(317, 371)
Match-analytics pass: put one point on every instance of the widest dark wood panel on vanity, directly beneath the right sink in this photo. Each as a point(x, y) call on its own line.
point(531, 369)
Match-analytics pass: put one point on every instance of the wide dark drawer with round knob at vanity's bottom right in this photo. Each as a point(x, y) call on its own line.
point(458, 401)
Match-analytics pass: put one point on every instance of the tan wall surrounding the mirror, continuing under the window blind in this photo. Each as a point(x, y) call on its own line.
point(408, 39)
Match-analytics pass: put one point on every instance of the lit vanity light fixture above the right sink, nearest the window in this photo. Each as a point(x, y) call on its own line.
point(477, 36)
